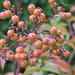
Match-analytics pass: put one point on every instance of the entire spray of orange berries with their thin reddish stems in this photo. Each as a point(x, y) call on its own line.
point(52, 42)
